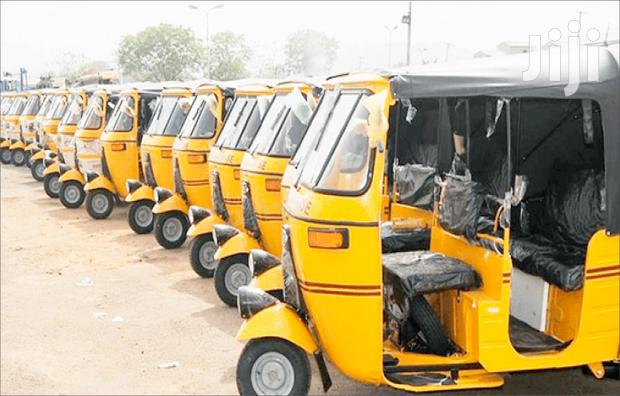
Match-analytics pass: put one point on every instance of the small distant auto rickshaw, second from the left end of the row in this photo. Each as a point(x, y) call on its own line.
point(26, 133)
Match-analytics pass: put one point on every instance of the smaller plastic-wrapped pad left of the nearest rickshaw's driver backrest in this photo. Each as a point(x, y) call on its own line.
point(415, 184)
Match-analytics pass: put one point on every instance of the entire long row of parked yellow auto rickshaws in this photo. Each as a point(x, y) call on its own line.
point(427, 229)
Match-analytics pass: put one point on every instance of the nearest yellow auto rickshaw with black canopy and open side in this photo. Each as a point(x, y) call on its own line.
point(523, 271)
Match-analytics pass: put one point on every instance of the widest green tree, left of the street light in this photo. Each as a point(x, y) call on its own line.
point(163, 52)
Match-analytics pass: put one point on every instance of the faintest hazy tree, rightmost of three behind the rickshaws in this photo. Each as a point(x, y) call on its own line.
point(310, 52)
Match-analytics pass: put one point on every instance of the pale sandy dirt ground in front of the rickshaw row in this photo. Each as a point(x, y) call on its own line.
point(89, 307)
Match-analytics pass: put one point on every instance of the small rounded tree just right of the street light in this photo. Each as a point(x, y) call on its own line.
point(227, 56)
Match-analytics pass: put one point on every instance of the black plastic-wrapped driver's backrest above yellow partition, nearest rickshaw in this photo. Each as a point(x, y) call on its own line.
point(460, 208)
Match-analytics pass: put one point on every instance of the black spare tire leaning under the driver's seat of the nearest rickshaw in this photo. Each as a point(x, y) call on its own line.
point(423, 315)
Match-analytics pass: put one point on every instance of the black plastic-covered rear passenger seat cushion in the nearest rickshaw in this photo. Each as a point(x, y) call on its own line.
point(560, 265)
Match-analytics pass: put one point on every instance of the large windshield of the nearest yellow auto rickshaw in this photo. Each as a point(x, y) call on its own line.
point(339, 159)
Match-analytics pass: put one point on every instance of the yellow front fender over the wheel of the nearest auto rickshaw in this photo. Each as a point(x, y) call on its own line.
point(279, 321)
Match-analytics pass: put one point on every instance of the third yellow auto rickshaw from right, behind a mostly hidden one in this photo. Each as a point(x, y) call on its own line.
point(281, 131)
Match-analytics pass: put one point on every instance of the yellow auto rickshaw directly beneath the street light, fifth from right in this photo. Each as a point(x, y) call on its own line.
point(190, 169)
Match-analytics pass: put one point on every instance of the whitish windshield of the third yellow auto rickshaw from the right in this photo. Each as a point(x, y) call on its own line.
point(284, 125)
